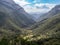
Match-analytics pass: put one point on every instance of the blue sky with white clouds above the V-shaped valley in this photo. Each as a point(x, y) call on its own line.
point(37, 6)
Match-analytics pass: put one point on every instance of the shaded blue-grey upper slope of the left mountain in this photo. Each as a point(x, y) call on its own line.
point(15, 13)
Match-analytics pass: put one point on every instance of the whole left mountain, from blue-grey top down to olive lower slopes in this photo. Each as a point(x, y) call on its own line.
point(13, 18)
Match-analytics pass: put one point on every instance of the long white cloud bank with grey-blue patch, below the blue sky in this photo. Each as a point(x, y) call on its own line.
point(41, 8)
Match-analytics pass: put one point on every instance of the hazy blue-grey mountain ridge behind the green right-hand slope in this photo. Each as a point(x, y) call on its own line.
point(51, 13)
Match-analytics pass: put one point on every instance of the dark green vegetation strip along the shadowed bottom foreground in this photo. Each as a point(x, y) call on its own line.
point(17, 40)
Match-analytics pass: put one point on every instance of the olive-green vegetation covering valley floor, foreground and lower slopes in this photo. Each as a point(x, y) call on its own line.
point(47, 33)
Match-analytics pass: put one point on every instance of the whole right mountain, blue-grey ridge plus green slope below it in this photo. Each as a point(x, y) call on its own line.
point(50, 27)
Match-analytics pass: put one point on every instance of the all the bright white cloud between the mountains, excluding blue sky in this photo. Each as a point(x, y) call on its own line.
point(29, 8)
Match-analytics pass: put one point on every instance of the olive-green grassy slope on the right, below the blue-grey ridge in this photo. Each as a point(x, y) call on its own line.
point(49, 27)
